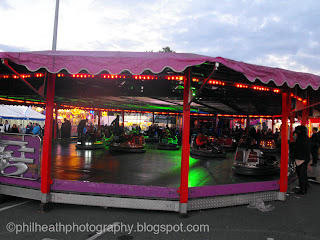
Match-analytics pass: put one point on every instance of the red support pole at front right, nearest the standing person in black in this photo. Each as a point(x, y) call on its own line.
point(284, 144)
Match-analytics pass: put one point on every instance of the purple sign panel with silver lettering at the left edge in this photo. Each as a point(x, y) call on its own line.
point(20, 156)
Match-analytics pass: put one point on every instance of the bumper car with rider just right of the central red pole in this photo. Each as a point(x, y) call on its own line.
point(213, 151)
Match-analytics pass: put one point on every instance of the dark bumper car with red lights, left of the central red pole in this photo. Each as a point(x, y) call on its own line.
point(134, 145)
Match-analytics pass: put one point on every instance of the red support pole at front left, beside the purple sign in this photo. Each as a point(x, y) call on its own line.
point(47, 138)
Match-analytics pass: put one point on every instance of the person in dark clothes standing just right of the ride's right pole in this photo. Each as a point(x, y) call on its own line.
point(302, 149)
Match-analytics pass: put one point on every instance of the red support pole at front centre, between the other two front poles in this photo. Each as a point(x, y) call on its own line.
point(185, 139)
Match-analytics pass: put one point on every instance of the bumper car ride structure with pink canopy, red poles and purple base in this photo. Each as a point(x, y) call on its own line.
point(169, 83)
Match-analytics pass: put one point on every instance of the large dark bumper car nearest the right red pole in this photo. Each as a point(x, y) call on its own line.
point(252, 161)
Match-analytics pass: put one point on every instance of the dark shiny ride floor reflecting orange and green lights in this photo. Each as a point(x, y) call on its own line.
point(153, 168)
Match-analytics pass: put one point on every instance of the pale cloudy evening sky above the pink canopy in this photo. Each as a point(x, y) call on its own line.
point(277, 33)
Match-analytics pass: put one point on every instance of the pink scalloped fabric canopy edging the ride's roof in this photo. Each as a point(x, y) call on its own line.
point(137, 62)
